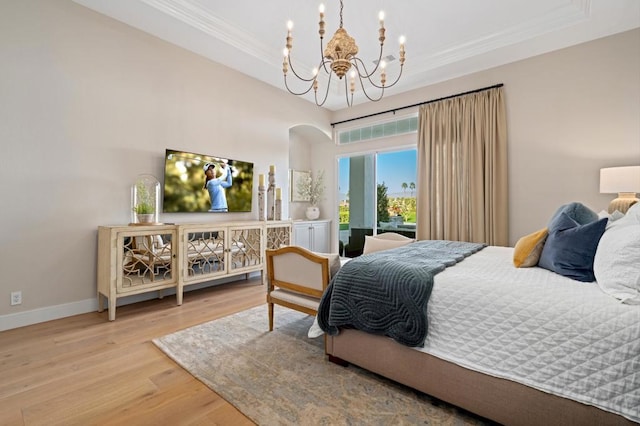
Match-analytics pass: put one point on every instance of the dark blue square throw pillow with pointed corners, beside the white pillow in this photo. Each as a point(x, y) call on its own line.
point(571, 247)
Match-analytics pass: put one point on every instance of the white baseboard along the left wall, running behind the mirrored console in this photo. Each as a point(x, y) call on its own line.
point(49, 313)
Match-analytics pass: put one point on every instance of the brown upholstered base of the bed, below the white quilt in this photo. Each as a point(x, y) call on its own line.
point(503, 401)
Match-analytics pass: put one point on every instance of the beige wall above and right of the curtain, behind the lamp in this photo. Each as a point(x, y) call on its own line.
point(569, 113)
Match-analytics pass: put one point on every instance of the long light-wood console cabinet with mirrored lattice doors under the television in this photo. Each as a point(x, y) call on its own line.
point(141, 259)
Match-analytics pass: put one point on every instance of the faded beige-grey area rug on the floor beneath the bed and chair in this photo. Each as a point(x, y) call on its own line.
point(283, 377)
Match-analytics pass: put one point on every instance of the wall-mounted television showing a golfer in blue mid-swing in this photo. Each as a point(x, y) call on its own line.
point(202, 183)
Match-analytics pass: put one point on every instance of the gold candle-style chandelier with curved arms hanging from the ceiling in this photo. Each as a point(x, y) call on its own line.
point(339, 58)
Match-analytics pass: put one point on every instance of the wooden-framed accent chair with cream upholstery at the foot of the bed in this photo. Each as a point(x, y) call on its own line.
point(296, 279)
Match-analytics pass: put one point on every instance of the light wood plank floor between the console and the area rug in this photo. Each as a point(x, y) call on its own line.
point(85, 370)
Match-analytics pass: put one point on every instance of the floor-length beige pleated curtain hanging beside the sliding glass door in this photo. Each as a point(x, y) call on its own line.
point(462, 169)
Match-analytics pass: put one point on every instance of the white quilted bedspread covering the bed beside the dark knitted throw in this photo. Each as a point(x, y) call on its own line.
point(538, 328)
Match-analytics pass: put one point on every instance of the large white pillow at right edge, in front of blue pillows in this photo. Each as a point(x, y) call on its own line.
point(616, 265)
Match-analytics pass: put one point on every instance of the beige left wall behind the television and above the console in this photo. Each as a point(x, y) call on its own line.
point(88, 103)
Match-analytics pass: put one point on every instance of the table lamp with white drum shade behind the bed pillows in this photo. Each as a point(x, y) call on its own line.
point(625, 181)
